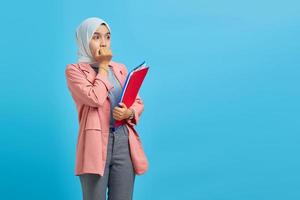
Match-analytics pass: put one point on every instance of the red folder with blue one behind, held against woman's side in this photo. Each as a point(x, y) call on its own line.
point(131, 87)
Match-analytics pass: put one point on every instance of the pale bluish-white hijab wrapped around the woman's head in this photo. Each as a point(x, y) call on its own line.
point(84, 33)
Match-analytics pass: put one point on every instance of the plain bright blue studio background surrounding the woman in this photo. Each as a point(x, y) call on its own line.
point(221, 118)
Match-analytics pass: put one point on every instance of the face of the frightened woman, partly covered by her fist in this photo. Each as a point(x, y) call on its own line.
point(101, 38)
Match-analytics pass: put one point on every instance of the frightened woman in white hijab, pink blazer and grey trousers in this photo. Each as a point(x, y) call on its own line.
point(107, 157)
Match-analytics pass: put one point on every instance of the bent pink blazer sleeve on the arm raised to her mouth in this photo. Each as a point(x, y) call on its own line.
point(91, 94)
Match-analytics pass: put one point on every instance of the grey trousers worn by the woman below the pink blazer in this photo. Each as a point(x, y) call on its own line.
point(118, 175)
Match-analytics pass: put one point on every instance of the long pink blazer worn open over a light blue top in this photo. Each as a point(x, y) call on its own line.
point(89, 91)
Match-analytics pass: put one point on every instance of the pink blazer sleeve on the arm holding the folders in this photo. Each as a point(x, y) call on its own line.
point(138, 106)
